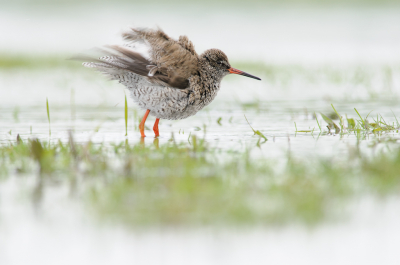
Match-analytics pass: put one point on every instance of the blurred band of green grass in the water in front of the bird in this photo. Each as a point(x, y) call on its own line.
point(191, 184)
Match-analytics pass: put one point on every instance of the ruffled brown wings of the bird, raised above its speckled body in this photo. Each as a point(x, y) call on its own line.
point(171, 62)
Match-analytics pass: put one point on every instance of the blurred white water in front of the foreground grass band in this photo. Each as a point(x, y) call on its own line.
point(61, 232)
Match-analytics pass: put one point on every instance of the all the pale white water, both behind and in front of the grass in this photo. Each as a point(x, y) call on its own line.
point(314, 57)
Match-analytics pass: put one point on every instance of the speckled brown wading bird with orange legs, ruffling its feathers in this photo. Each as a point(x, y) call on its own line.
point(171, 80)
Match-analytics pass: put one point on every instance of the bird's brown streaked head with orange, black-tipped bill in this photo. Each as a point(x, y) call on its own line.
point(217, 62)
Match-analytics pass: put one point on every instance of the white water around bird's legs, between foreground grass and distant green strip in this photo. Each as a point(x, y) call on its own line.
point(93, 108)
